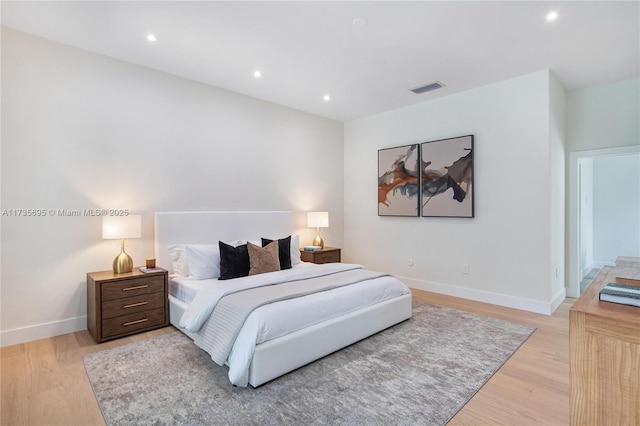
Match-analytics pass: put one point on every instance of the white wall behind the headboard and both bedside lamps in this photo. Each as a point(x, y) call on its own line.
point(81, 130)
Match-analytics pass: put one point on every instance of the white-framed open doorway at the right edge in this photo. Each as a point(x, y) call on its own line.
point(604, 211)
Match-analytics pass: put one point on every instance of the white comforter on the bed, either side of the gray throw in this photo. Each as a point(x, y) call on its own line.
point(278, 319)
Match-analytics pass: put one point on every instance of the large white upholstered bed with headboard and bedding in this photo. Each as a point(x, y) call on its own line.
point(353, 312)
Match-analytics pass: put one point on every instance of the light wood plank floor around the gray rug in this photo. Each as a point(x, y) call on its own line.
point(44, 382)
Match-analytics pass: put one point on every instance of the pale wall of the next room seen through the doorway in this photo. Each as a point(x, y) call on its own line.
point(616, 207)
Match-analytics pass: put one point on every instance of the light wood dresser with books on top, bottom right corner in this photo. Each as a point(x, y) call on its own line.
point(604, 350)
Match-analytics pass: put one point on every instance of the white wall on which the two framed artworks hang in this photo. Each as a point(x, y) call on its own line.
point(508, 244)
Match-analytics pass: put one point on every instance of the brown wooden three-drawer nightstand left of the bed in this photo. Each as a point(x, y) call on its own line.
point(122, 304)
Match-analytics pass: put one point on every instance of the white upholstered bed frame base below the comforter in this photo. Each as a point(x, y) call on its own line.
point(279, 356)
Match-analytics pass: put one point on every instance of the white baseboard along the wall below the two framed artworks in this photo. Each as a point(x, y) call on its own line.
point(546, 308)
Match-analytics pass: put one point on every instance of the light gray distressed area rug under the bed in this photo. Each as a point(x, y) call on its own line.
point(421, 371)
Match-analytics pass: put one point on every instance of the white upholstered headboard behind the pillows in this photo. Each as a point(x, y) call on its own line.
point(210, 227)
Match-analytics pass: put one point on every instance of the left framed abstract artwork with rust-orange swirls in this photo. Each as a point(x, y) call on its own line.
point(398, 181)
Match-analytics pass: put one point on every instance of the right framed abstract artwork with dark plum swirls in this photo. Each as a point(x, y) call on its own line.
point(447, 177)
